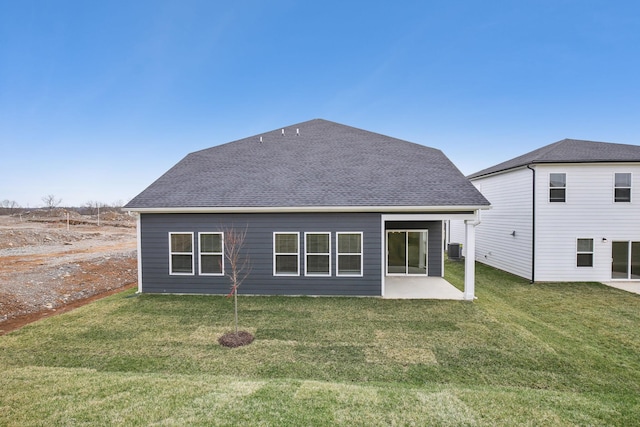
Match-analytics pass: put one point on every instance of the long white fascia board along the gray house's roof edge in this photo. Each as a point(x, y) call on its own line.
point(441, 210)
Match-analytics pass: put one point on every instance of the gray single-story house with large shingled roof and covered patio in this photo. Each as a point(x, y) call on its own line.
point(328, 209)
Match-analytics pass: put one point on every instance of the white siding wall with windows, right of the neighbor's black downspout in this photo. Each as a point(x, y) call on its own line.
point(589, 212)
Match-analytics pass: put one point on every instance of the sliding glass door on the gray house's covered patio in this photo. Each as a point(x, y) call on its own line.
point(407, 252)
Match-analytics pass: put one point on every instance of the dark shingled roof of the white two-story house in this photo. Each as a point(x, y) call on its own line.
point(569, 151)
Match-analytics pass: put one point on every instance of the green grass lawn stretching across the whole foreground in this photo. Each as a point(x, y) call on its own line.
point(547, 354)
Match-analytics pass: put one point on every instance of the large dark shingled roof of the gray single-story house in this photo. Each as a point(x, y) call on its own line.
point(326, 165)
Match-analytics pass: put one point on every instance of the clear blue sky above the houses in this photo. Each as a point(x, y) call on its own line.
point(99, 98)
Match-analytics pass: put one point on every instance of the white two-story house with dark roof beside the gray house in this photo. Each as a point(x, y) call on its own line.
point(583, 210)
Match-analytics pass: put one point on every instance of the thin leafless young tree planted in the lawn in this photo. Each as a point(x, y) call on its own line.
point(238, 262)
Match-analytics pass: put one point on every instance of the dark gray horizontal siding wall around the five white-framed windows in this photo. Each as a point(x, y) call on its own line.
point(259, 247)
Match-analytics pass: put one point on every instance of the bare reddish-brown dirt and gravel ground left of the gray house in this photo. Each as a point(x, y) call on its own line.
point(49, 267)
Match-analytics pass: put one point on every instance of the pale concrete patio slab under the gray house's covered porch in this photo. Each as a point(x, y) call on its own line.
point(413, 287)
